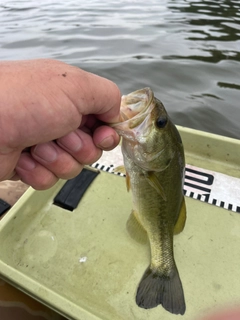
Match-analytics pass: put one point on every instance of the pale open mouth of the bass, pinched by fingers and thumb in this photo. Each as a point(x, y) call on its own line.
point(133, 111)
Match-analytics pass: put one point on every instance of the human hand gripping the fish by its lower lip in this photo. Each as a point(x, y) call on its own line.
point(57, 112)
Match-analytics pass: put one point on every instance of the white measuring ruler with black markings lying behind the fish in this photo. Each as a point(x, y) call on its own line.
point(204, 185)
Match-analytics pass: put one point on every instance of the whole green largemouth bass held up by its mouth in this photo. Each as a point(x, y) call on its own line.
point(154, 162)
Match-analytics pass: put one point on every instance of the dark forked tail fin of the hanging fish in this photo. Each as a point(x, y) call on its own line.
point(156, 288)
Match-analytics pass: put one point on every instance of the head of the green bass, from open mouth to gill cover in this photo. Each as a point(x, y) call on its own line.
point(143, 141)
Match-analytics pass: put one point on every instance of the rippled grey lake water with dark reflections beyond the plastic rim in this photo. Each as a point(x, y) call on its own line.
point(187, 51)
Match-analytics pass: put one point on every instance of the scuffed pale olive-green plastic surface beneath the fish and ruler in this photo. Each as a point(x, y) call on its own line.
point(84, 265)
